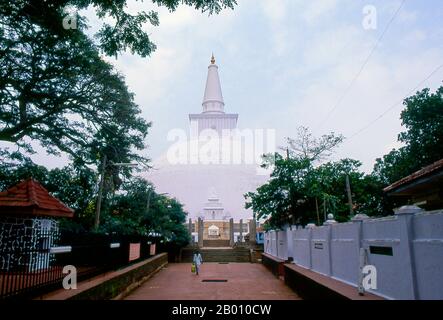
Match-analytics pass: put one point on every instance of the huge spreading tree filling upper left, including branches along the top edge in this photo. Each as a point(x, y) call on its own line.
point(55, 88)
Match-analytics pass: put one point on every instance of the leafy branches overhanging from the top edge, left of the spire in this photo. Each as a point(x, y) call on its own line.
point(127, 31)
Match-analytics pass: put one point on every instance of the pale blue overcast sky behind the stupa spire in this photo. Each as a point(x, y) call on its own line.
point(287, 63)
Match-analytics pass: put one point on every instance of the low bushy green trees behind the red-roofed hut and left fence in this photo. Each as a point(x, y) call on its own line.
point(137, 209)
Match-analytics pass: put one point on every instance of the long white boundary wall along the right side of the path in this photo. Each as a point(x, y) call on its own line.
point(406, 249)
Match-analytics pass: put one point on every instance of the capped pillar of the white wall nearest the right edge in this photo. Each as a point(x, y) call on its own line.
point(405, 215)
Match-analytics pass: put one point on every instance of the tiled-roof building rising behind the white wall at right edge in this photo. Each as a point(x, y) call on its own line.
point(423, 188)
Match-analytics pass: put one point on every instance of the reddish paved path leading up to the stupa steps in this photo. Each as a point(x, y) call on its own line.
point(246, 281)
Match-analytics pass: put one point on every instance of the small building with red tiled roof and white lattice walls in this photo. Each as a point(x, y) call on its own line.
point(29, 225)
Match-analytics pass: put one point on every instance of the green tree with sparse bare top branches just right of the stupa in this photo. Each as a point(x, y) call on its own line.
point(297, 186)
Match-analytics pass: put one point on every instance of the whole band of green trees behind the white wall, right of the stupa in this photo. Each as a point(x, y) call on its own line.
point(302, 189)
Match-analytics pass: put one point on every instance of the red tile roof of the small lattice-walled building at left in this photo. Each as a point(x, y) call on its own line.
point(30, 198)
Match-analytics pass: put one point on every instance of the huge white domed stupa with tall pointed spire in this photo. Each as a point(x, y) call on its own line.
point(210, 171)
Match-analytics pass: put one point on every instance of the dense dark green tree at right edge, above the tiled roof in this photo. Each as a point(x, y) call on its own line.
point(423, 138)
